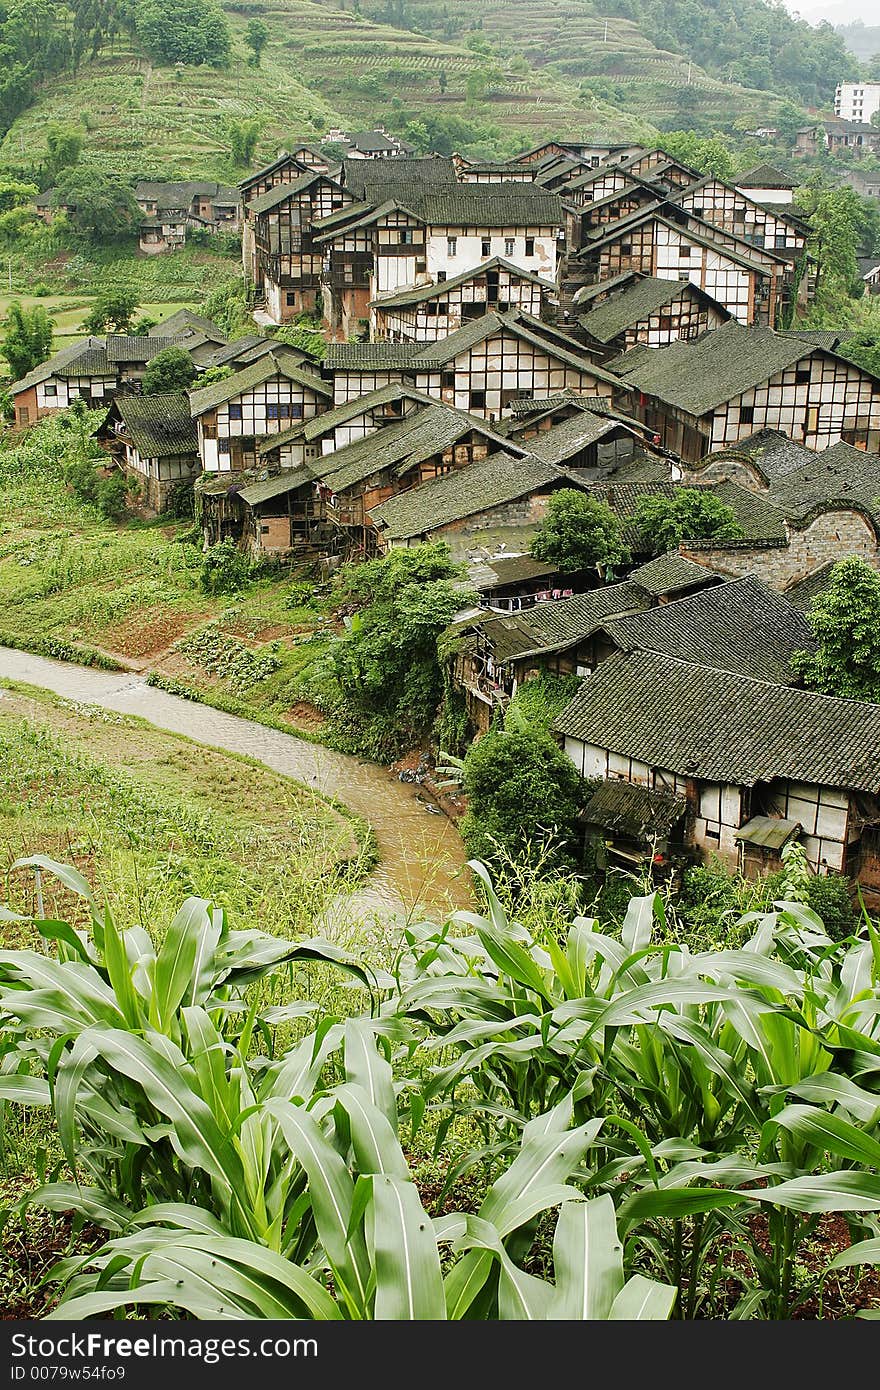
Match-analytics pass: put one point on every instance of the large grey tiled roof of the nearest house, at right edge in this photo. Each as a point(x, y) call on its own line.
point(726, 729)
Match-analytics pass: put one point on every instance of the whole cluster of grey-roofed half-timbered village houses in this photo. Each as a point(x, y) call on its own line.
point(587, 318)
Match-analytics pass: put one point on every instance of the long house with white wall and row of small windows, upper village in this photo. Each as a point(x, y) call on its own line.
point(427, 234)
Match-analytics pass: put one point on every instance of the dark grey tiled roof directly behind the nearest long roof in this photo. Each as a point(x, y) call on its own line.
point(740, 626)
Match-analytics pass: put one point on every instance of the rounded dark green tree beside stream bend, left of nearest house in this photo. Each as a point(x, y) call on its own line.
point(523, 793)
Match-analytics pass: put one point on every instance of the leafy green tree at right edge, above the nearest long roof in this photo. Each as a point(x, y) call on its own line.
point(846, 619)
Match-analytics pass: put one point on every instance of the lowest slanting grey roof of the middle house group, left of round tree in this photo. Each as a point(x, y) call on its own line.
point(489, 483)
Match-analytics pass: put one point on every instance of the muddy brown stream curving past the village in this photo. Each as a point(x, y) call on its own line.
point(422, 857)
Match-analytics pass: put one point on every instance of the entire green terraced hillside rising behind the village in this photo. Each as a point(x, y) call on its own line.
point(553, 67)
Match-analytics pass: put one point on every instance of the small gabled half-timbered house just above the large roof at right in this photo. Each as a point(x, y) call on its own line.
point(642, 309)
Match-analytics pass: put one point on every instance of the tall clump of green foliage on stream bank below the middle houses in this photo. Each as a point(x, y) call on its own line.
point(387, 667)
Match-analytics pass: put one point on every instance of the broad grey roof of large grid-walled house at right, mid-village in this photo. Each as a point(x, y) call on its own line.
point(719, 366)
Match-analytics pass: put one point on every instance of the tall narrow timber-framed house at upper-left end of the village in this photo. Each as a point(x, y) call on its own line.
point(287, 259)
